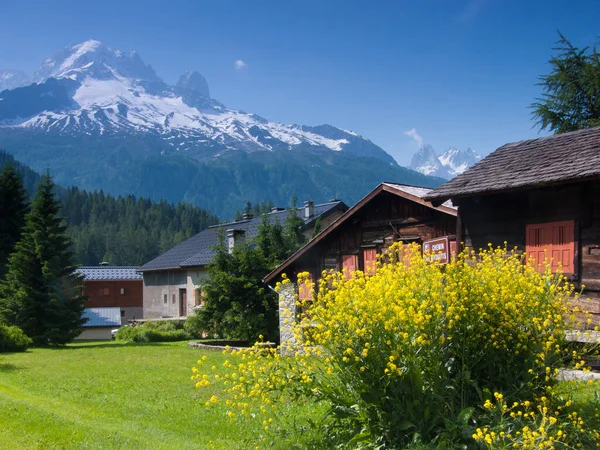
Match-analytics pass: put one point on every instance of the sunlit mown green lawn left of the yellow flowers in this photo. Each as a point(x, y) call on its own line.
point(111, 395)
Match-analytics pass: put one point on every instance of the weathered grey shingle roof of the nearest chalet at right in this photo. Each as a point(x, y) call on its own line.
point(538, 162)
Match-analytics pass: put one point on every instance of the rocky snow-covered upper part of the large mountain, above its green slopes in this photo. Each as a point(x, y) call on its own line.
point(91, 88)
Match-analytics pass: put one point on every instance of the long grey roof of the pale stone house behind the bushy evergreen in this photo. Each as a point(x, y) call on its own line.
point(199, 249)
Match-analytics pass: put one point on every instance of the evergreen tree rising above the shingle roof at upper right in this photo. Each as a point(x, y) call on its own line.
point(571, 91)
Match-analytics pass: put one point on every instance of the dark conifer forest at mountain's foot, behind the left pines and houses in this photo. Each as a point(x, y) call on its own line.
point(120, 230)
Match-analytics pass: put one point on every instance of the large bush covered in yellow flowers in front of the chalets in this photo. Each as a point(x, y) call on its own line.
point(415, 353)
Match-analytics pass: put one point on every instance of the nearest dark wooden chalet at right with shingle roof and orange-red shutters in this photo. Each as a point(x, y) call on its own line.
point(541, 196)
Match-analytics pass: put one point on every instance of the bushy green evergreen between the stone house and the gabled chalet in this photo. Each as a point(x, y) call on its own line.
point(236, 303)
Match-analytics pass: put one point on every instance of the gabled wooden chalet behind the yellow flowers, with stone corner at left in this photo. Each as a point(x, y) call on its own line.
point(390, 213)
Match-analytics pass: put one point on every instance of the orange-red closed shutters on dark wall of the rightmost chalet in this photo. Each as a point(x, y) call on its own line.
point(552, 242)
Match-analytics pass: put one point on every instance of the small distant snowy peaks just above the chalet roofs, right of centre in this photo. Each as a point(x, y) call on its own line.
point(451, 163)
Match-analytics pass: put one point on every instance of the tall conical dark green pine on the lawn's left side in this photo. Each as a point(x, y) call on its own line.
point(41, 293)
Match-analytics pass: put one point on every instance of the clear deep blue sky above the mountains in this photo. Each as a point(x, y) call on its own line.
point(461, 73)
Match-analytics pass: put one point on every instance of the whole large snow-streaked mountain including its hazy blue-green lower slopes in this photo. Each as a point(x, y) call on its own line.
point(100, 118)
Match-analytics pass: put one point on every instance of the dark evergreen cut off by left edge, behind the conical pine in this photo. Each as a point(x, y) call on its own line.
point(13, 207)
